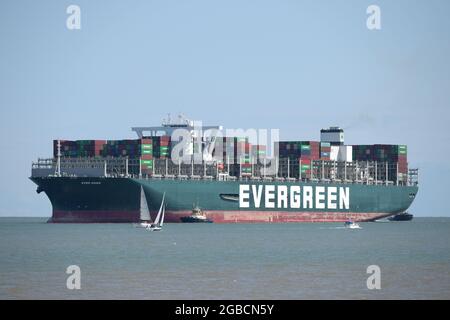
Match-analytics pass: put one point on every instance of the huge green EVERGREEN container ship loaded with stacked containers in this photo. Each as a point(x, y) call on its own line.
point(233, 179)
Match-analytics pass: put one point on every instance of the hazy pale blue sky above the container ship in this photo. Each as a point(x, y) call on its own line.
point(293, 65)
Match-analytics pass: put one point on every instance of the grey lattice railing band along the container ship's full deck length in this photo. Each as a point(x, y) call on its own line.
point(360, 172)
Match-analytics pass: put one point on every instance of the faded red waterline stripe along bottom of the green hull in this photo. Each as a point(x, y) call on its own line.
point(218, 216)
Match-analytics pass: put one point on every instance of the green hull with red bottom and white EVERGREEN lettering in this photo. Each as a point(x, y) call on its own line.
point(118, 200)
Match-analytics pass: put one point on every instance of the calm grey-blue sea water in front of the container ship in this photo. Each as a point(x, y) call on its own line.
point(216, 261)
